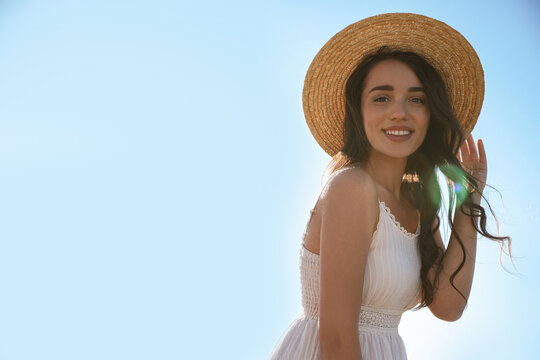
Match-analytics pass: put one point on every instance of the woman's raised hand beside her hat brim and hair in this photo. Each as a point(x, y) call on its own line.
point(473, 161)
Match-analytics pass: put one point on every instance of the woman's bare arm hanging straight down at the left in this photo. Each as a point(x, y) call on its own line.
point(349, 217)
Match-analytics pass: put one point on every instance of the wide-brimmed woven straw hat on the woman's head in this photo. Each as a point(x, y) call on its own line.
point(440, 45)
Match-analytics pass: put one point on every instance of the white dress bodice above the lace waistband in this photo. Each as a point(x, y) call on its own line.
point(392, 275)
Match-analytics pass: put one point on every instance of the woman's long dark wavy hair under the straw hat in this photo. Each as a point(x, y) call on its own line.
point(438, 151)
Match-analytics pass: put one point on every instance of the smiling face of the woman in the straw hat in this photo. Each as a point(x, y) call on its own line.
point(393, 99)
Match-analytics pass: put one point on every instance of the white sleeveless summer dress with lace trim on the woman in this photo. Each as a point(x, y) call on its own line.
point(391, 286)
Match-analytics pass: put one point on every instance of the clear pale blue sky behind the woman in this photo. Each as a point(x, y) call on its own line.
point(157, 174)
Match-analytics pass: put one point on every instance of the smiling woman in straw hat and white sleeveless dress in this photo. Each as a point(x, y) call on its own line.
point(391, 98)
